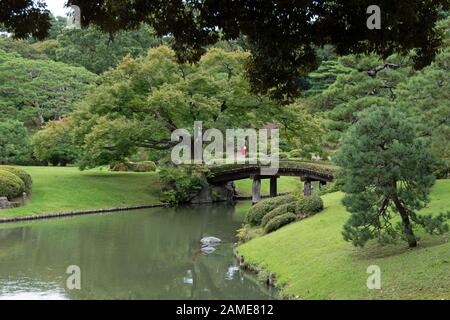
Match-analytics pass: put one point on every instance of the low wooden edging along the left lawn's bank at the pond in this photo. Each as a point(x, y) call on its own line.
point(76, 213)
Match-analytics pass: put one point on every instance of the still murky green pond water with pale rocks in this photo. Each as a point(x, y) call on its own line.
point(145, 254)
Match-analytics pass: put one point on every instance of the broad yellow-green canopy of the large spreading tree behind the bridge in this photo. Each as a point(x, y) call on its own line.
point(142, 101)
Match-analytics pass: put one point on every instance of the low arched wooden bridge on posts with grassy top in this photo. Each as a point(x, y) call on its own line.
point(307, 171)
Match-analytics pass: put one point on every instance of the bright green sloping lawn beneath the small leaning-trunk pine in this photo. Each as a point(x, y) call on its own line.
point(312, 261)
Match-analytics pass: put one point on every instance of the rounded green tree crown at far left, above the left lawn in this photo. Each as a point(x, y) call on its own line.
point(35, 91)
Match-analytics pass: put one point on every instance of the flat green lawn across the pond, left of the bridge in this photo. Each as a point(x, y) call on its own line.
point(57, 189)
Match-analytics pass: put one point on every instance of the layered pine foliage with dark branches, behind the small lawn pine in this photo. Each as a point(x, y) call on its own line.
point(356, 90)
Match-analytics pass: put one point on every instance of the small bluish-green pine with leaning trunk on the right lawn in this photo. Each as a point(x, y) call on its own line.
point(387, 172)
